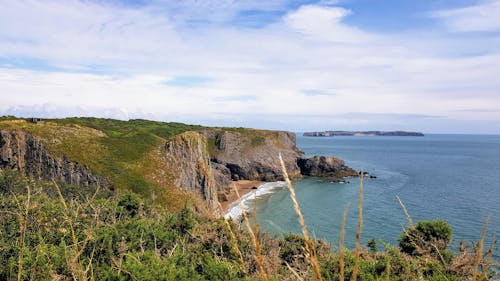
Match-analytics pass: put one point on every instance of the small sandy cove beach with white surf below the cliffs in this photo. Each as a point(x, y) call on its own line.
point(232, 209)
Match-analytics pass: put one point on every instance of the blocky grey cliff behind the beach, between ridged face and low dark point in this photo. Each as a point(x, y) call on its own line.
point(253, 155)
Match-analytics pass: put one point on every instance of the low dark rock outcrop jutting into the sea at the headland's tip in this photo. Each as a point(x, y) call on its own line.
point(329, 167)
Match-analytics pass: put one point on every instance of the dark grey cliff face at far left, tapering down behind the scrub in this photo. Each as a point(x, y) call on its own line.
point(26, 153)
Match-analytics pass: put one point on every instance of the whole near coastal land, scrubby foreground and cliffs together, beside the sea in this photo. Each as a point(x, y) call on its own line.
point(102, 199)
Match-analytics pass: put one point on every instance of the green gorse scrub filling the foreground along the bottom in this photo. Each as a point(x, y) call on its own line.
point(90, 234)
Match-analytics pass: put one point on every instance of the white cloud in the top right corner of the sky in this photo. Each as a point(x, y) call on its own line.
point(484, 16)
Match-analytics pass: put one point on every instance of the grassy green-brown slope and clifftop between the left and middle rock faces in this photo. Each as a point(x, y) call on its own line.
point(129, 153)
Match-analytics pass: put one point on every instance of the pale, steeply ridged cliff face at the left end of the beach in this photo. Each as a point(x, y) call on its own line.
point(187, 156)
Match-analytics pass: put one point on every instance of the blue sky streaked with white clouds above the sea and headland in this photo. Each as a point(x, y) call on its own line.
point(422, 65)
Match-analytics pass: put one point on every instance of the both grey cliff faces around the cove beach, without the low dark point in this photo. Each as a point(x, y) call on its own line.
point(248, 154)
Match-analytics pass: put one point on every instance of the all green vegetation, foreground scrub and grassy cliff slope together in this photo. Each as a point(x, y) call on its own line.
point(149, 231)
